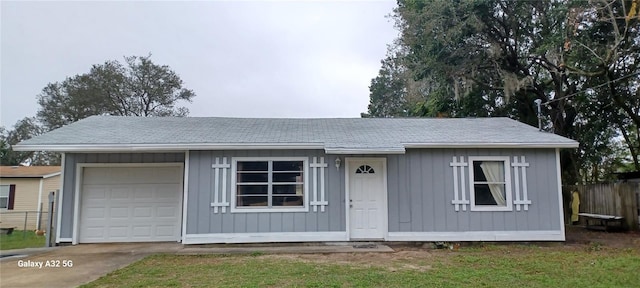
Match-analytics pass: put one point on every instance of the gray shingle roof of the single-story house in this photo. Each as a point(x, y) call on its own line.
point(113, 132)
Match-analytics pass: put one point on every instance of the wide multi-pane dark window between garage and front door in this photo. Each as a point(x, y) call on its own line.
point(272, 184)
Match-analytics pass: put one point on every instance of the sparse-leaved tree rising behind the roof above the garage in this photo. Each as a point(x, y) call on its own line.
point(136, 88)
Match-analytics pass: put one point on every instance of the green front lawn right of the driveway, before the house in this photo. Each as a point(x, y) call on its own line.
point(492, 266)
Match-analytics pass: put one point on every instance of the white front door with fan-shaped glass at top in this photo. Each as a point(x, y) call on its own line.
point(367, 207)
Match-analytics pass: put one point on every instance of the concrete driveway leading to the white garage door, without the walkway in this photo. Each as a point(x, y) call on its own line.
point(71, 266)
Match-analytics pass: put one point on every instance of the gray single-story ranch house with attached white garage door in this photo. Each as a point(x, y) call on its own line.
point(238, 180)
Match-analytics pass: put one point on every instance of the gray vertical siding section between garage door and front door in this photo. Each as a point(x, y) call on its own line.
point(201, 218)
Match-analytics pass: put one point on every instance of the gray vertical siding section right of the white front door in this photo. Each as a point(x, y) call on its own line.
point(420, 187)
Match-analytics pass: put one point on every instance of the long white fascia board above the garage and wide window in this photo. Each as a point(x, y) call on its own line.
point(173, 147)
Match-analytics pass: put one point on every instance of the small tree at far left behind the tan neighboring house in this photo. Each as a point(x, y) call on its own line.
point(24, 129)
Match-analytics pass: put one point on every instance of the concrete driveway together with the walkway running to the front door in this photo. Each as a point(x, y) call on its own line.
point(71, 266)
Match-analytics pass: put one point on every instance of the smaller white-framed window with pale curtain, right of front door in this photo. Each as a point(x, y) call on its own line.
point(490, 184)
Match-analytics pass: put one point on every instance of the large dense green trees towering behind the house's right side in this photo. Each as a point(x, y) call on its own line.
point(494, 57)
